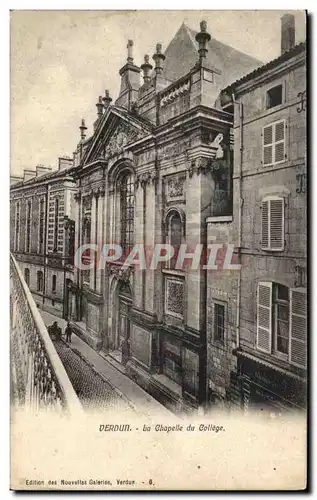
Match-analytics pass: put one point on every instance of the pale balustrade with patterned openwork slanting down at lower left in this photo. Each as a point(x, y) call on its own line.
point(39, 379)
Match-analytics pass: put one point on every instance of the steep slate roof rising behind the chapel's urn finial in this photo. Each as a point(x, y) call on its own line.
point(182, 55)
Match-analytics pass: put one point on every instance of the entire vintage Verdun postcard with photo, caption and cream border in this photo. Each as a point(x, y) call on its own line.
point(158, 258)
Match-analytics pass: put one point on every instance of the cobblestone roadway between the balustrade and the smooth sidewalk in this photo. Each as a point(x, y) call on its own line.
point(92, 390)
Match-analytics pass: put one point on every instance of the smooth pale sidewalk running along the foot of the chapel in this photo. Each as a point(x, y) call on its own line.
point(142, 402)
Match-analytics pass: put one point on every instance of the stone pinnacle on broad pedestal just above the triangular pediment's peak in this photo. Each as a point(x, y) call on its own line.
point(130, 81)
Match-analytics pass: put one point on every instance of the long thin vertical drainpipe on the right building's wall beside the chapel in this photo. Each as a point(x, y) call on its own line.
point(239, 216)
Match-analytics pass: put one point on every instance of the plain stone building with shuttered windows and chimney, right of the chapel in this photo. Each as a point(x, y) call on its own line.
point(257, 320)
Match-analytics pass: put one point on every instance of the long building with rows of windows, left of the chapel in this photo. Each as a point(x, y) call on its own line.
point(42, 233)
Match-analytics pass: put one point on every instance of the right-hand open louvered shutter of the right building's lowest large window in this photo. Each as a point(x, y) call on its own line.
point(298, 326)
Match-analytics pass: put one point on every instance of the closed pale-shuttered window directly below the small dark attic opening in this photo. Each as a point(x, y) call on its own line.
point(274, 145)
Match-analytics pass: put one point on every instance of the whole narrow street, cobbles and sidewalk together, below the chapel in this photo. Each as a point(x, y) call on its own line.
point(97, 382)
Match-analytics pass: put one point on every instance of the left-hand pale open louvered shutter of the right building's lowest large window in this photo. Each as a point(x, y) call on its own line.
point(264, 316)
